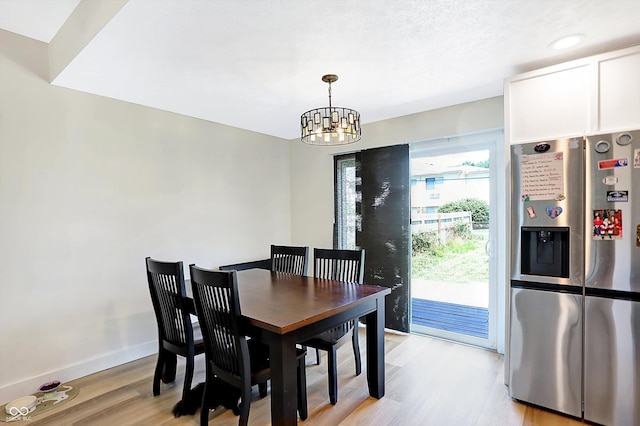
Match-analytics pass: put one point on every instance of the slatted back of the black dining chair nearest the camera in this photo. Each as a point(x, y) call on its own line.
point(215, 295)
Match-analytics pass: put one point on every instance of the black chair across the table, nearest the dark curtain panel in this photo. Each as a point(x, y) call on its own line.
point(346, 266)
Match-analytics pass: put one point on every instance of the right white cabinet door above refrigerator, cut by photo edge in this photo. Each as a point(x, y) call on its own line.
point(619, 92)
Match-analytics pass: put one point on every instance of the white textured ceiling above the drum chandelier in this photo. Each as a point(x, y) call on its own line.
point(257, 64)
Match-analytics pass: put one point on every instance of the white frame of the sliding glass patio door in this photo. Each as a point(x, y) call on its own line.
point(493, 142)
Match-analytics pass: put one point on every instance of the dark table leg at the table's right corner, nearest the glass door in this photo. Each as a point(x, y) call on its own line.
point(375, 350)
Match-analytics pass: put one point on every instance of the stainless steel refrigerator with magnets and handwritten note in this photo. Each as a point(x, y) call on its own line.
point(574, 341)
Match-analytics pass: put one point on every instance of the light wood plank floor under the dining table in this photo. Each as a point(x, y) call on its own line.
point(428, 382)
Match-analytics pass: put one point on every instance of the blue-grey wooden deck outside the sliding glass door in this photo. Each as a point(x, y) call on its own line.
point(469, 320)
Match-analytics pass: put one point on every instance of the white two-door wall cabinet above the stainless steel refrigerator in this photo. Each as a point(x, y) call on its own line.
point(599, 94)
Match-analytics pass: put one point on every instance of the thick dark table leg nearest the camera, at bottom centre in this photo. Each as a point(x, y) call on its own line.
point(283, 380)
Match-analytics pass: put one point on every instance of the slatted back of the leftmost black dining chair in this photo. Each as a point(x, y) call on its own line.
point(167, 289)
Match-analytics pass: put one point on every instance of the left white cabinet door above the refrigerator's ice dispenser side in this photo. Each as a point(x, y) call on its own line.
point(550, 105)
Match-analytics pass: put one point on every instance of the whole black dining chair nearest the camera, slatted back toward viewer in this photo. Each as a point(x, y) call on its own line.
point(230, 355)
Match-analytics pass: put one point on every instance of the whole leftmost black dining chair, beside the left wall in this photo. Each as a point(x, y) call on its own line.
point(176, 333)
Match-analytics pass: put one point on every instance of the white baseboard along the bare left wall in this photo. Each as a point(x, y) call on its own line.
point(30, 385)
